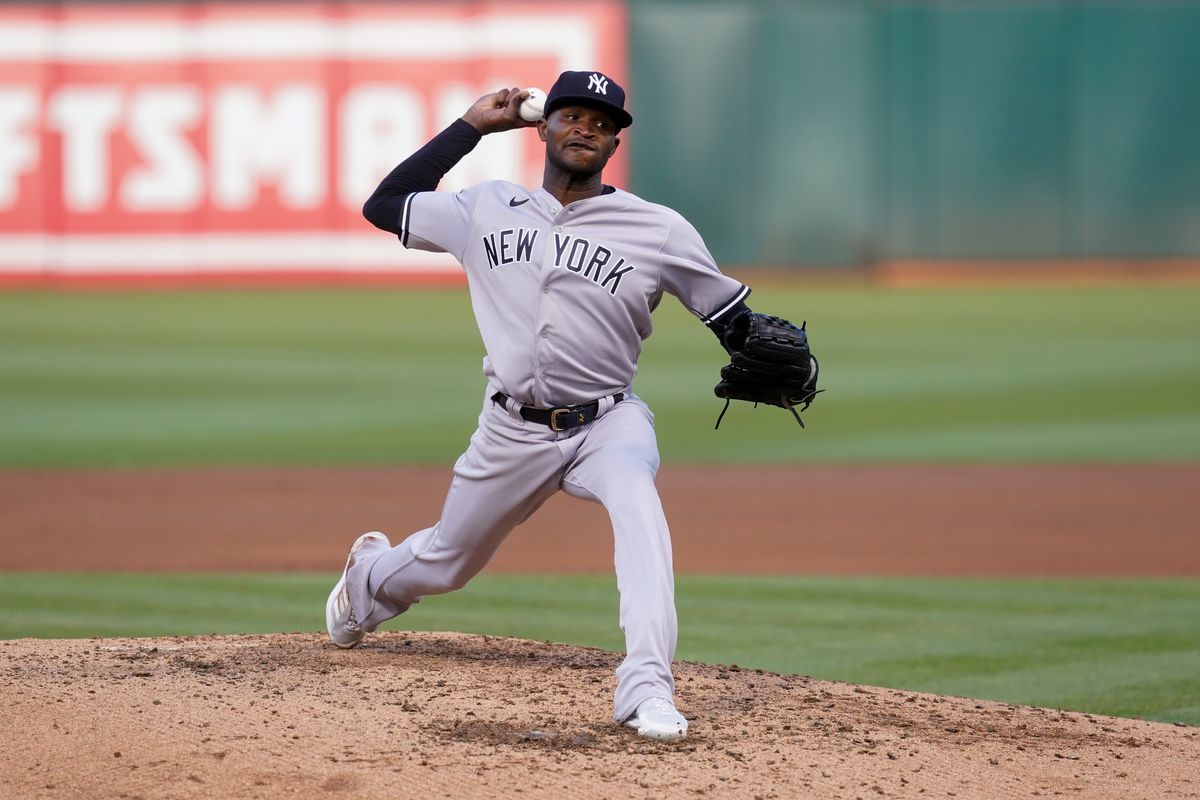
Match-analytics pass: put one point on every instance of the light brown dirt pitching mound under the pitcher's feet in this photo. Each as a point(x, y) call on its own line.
point(421, 715)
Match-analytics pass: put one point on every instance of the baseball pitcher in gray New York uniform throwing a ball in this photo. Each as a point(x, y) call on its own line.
point(563, 280)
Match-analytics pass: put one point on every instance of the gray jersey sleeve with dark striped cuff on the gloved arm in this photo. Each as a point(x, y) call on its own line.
point(691, 274)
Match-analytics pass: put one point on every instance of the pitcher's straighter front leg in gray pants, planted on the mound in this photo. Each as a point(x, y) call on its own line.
point(616, 466)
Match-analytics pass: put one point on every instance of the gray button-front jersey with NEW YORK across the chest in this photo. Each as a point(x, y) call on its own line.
point(563, 296)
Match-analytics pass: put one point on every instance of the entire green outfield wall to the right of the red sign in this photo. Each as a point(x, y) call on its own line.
point(841, 133)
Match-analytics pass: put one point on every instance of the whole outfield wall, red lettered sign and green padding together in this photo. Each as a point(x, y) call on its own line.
point(242, 139)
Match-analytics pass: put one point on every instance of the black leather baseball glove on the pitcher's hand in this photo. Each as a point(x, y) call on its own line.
point(770, 363)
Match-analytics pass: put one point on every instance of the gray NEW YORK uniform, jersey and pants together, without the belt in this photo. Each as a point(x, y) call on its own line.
point(563, 299)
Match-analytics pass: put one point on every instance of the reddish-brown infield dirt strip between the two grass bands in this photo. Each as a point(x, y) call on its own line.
point(850, 520)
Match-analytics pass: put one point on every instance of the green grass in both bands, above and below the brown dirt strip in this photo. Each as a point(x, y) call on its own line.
point(353, 377)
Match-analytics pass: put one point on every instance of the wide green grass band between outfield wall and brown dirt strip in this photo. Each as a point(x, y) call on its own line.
point(332, 377)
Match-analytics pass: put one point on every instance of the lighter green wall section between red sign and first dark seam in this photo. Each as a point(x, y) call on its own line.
point(760, 129)
